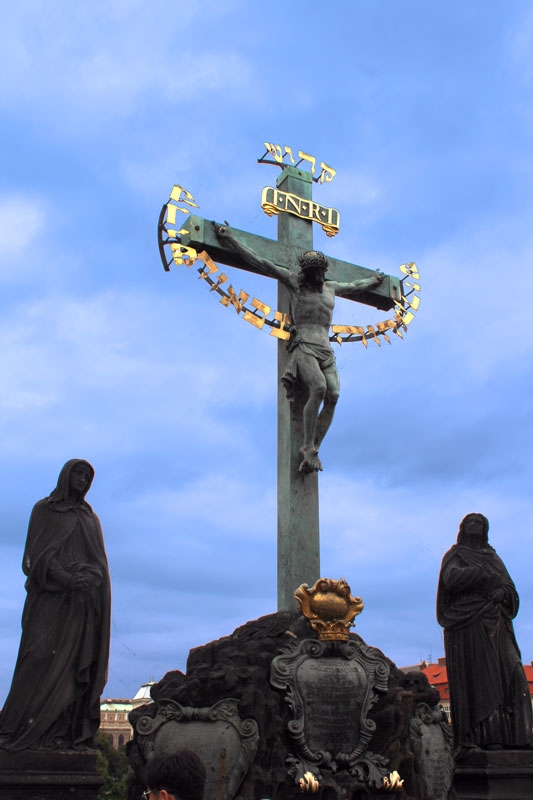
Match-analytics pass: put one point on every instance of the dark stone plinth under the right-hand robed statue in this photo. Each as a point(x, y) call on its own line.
point(495, 775)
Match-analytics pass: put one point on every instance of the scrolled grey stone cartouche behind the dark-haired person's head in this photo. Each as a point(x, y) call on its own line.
point(226, 743)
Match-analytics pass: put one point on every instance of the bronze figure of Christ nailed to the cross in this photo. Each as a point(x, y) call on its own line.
point(311, 359)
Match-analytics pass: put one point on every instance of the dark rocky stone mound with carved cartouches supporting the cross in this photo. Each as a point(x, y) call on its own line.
point(272, 703)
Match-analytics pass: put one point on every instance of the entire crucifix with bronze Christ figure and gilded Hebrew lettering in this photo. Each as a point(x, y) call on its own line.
point(300, 426)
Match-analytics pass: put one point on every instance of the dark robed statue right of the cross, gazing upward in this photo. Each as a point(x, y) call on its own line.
point(476, 601)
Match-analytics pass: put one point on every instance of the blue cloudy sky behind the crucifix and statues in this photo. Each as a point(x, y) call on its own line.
point(425, 111)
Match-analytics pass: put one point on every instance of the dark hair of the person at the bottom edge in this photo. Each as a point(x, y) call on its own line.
point(182, 774)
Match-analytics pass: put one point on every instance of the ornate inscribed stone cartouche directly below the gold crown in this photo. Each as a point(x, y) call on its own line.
point(331, 687)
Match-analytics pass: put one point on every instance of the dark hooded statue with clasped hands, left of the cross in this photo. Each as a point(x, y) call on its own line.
point(61, 670)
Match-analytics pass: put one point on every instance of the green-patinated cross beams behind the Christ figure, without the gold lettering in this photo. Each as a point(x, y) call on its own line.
point(298, 517)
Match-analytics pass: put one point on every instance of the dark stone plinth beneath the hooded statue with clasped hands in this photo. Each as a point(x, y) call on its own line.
point(48, 775)
